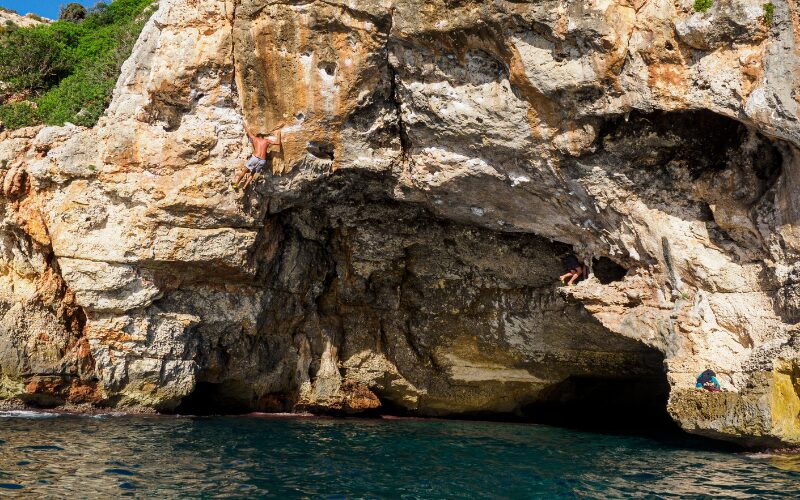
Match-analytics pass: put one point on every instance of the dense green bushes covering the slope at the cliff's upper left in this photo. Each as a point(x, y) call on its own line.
point(65, 71)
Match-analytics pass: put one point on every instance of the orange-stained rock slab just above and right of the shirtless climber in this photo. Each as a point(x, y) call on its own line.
point(310, 78)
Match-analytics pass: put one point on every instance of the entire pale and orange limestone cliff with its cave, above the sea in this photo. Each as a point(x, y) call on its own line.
point(440, 159)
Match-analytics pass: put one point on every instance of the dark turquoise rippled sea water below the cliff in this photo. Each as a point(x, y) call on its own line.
point(69, 456)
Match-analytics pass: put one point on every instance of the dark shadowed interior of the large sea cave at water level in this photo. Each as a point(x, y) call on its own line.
point(517, 273)
